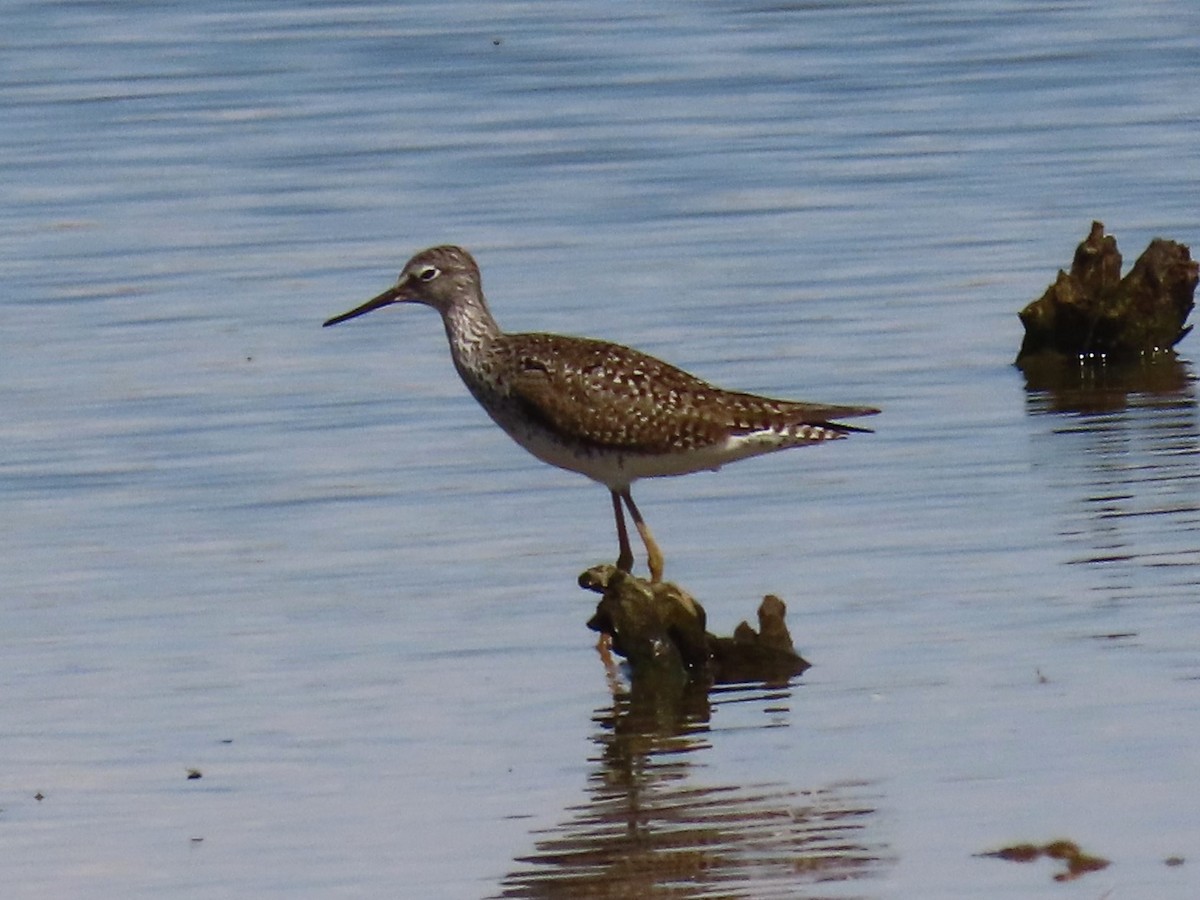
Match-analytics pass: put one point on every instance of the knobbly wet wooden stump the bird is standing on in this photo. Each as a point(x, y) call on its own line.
point(662, 629)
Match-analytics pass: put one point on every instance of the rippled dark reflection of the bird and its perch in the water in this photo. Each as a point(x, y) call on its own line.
point(651, 829)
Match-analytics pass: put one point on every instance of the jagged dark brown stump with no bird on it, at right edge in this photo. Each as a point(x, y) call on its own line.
point(1091, 313)
